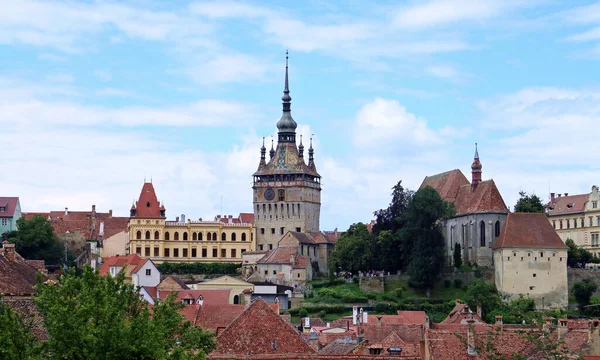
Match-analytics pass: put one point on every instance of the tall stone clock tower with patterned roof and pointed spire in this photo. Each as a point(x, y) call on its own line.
point(287, 190)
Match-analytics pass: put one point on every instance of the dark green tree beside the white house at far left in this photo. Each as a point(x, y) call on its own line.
point(35, 240)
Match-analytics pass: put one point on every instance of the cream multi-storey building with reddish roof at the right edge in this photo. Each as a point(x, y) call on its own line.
point(577, 217)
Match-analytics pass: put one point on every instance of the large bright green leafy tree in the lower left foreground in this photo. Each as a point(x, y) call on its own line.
point(93, 317)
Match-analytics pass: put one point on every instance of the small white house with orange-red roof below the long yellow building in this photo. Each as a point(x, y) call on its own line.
point(138, 271)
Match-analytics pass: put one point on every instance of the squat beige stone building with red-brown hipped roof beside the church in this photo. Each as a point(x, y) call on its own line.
point(531, 260)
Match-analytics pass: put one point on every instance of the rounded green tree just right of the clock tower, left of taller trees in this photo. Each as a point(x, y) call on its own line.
point(352, 251)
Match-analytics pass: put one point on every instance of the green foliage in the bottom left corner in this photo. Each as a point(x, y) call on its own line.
point(16, 340)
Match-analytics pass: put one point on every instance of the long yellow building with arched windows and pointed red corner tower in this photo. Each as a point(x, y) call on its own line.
point(151, 235)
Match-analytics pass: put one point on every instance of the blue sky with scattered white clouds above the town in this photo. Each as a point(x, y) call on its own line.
point(98, 96)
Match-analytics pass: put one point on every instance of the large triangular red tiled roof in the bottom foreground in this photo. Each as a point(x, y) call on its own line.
point(260, 330)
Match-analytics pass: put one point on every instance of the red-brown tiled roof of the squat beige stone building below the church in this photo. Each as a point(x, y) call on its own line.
point(528, 230)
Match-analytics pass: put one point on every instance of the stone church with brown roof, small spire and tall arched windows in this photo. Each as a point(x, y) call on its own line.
point(480, 213)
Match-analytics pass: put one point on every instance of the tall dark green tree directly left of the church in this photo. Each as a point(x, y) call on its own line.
point(422, 237)
